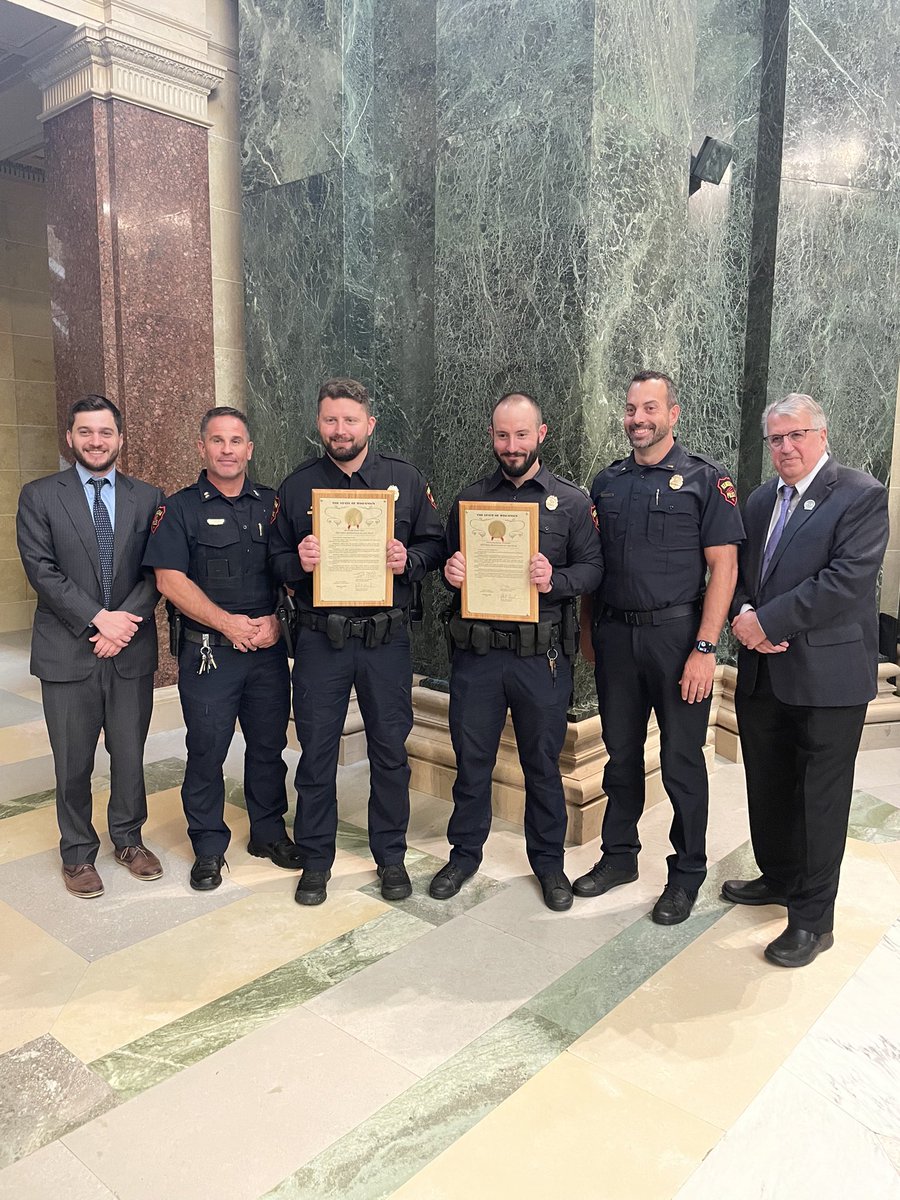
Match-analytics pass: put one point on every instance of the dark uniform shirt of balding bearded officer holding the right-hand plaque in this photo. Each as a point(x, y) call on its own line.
point(568, 538)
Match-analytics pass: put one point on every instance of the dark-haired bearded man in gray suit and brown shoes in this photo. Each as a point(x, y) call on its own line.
point(82, 536)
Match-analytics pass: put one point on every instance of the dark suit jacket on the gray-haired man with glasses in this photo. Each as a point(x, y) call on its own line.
point(819, 591)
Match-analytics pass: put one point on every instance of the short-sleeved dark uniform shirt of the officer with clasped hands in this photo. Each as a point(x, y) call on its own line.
point(220, 543)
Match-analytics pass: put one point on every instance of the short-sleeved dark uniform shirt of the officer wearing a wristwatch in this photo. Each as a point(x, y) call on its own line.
point(656, 524)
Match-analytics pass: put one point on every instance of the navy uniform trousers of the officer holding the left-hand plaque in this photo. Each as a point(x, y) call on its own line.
point(323, 679)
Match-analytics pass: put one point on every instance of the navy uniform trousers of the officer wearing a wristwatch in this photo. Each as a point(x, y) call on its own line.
point(638, 670)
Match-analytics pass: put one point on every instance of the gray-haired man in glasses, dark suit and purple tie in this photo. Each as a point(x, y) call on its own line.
point(806, 615)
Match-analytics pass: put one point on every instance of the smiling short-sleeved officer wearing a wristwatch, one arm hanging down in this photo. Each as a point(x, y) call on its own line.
point(668, 519)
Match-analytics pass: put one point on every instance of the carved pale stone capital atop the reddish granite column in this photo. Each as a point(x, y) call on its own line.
point(106, 64)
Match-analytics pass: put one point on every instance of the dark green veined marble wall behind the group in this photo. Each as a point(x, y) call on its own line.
point(452, 199)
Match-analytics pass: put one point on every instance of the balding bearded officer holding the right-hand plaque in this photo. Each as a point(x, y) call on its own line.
point(521, 668)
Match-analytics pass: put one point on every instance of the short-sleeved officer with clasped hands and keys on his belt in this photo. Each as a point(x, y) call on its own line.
point(209, 548)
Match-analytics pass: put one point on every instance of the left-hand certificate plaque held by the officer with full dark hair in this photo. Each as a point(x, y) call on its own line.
point(353, 529)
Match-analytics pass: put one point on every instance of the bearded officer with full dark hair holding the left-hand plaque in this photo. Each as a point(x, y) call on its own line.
point(362, 647)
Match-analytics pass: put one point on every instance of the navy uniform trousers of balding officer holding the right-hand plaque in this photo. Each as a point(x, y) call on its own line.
point(483, 687)
